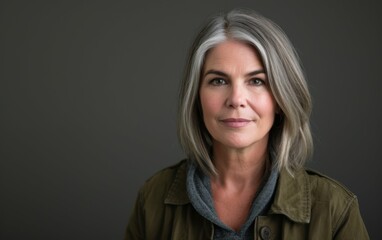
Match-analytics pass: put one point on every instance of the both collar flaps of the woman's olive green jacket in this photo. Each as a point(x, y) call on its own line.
point(292, 194)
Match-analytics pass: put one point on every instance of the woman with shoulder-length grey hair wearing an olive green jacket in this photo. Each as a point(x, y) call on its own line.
point(244, 125)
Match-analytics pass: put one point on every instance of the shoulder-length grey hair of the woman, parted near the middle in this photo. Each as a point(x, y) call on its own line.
point(290, 141)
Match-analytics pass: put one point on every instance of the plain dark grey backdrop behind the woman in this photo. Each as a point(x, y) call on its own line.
point(88, 93)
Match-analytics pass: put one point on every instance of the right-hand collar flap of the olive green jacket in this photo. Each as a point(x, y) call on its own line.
point(292, 196)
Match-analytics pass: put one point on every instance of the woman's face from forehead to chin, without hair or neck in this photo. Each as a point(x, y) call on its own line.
point(237, 104)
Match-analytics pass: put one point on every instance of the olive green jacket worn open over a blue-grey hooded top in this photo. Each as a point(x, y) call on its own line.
point(306, 206)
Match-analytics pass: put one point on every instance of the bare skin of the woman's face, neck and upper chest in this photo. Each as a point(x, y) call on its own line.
point(238, 111)
